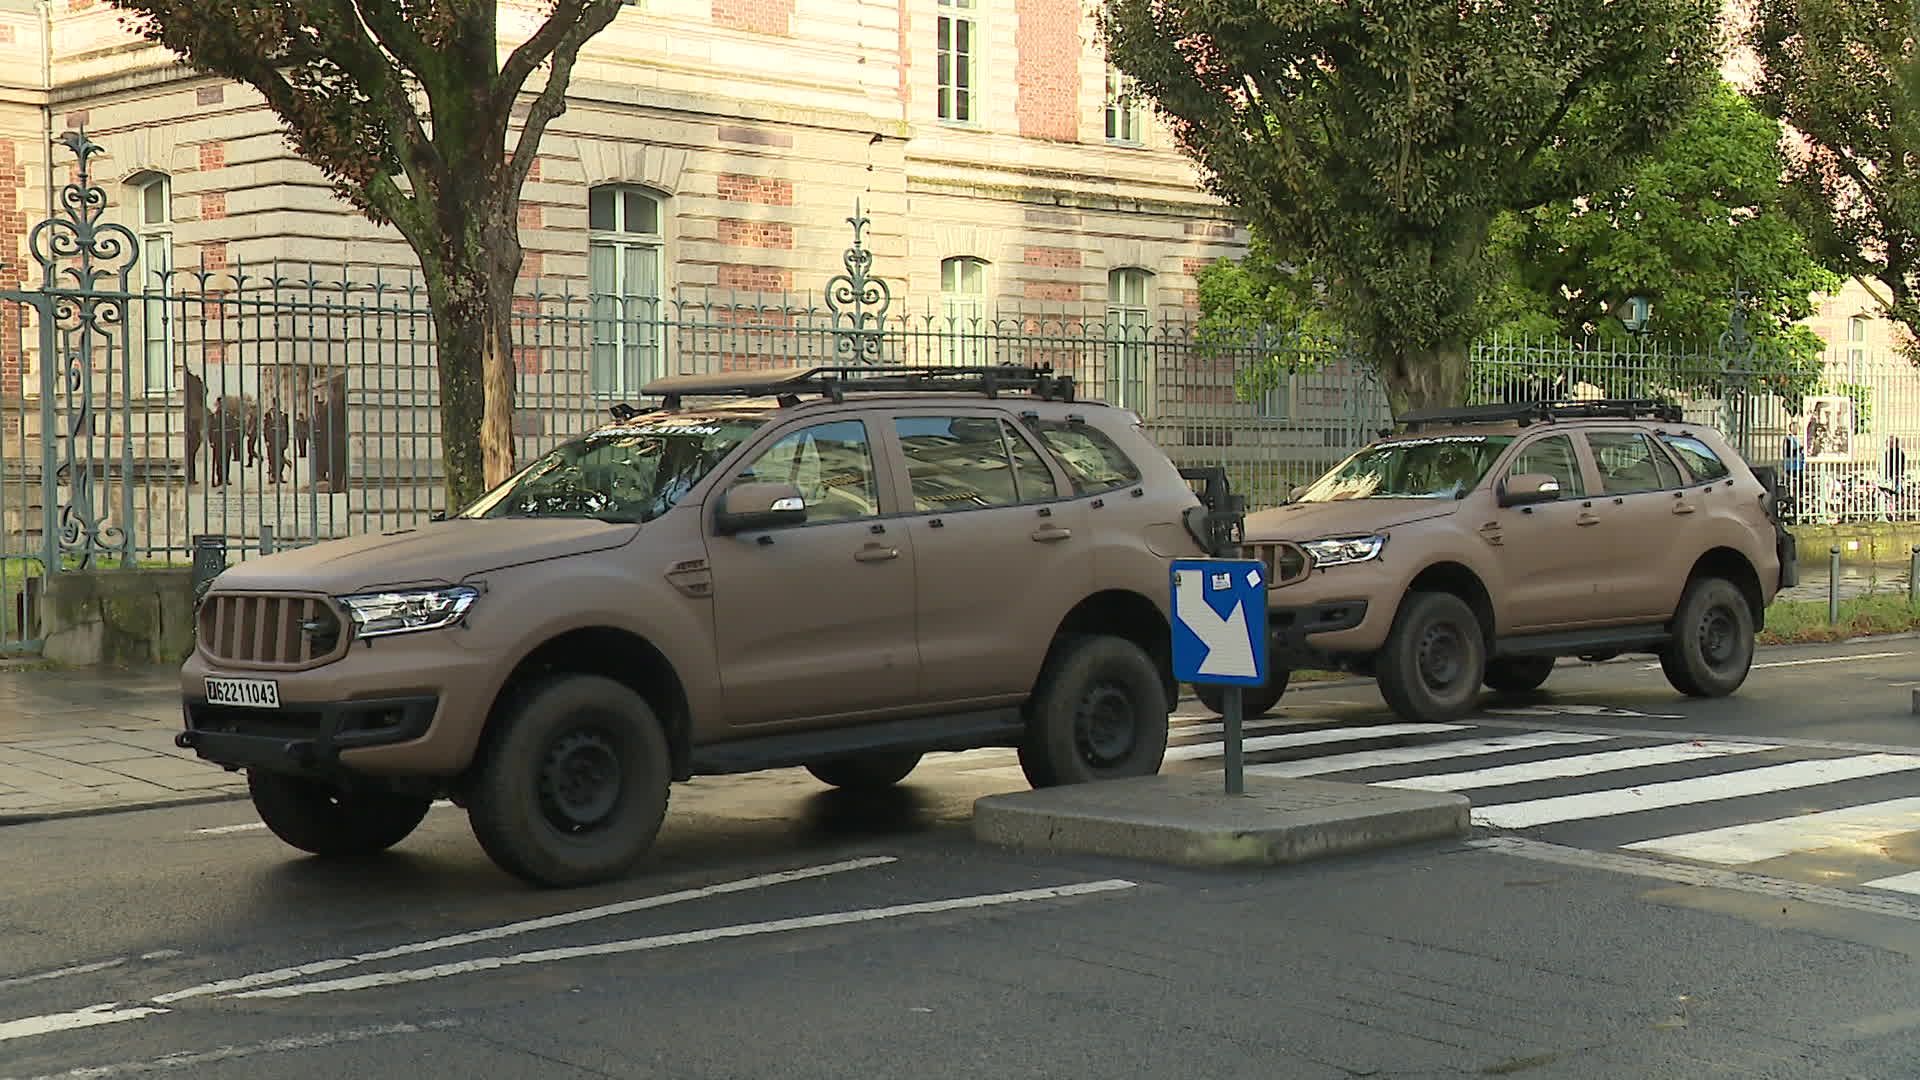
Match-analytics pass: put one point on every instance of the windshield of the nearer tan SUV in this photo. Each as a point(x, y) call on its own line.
point(623, 474)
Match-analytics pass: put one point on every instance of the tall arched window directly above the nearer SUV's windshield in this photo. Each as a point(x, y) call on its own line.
point(625, 255)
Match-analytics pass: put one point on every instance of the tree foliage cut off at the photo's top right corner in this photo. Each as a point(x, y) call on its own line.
point(1846, 80)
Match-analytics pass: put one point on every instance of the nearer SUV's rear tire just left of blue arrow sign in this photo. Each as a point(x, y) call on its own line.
point(1099, 712)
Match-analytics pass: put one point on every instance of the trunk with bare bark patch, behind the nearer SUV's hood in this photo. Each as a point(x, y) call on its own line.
point(473, 320)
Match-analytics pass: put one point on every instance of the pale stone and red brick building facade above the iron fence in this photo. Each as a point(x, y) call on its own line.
point(709, 145)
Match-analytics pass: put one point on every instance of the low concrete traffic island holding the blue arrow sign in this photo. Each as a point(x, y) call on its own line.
point(1188, 820)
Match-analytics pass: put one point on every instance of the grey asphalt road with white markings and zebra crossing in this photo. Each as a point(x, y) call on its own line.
point(794, 931)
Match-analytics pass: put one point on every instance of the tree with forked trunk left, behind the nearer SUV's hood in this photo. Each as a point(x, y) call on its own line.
point(410, 110)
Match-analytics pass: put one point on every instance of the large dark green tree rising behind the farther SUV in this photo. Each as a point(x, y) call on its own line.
point(1380, 141)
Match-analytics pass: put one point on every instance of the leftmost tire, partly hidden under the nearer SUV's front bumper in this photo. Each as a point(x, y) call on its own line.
point(329, 822)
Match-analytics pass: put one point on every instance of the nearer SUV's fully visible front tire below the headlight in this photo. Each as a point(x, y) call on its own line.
point(571, 787)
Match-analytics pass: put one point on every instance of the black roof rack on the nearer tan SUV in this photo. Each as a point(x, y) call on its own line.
point(836, 383)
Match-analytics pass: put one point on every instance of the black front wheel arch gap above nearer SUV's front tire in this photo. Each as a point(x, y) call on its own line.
point(610, 652)
